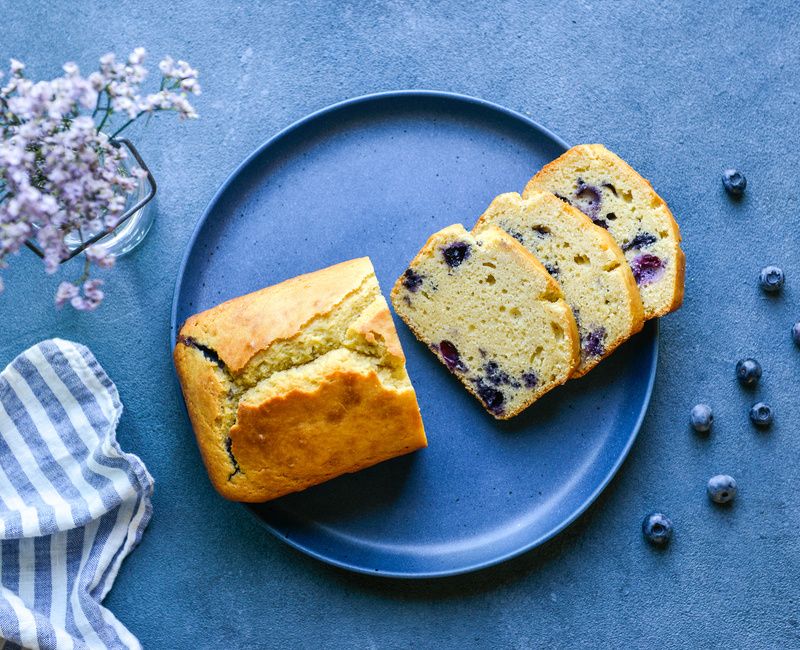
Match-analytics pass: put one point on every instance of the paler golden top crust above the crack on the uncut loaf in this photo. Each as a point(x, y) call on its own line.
point(239, 328)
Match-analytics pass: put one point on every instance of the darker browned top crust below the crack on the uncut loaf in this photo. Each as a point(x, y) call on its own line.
point(290, 442)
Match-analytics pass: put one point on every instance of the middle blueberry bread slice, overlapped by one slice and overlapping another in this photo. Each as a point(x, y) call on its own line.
point(585, 260)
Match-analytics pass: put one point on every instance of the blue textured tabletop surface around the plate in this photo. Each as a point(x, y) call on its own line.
point(682, 90)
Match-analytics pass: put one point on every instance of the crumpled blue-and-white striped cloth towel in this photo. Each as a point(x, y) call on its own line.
point(72, 504)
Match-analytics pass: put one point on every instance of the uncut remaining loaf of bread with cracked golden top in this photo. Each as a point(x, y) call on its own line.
point(297, 383)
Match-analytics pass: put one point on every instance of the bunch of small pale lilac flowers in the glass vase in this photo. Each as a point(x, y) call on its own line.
point(61, 171)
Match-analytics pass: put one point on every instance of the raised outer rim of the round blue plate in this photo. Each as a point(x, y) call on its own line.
point(259, 151)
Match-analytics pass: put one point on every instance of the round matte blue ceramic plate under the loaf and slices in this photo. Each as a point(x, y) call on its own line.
point(376, 176)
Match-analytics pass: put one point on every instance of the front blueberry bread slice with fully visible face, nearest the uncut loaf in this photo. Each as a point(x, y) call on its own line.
point(492, 314)
